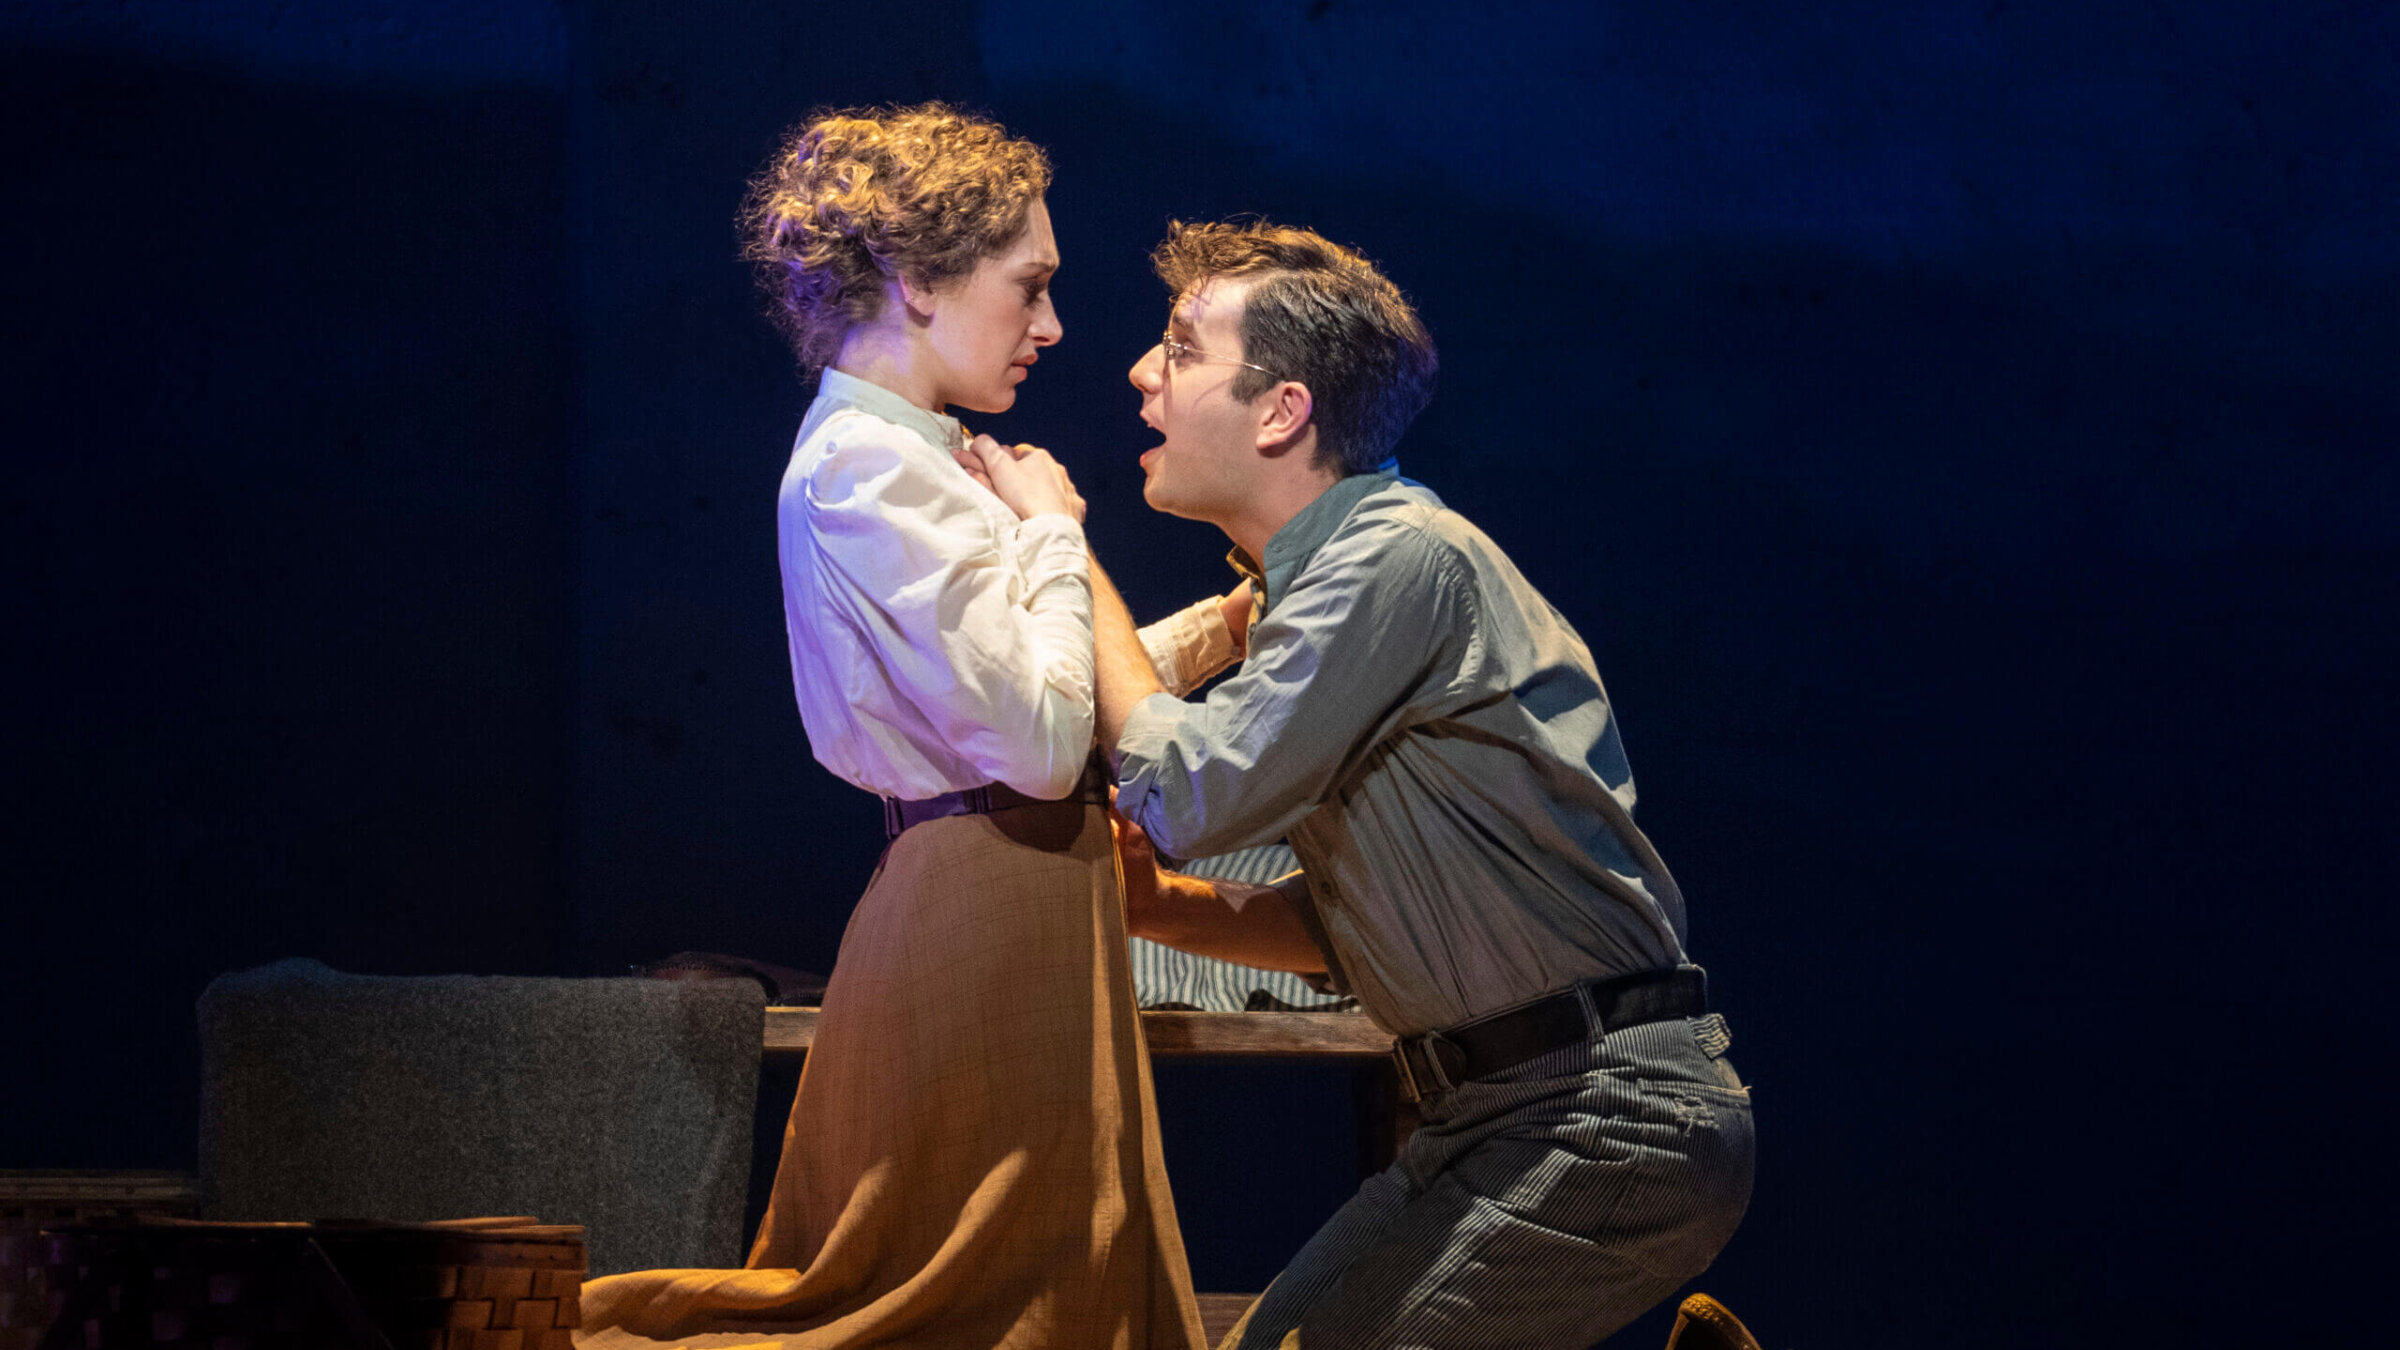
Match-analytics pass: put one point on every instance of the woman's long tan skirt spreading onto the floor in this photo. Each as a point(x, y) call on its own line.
point(973, 1157)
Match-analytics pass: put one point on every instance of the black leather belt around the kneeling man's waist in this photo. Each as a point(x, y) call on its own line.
point(1499, 1041)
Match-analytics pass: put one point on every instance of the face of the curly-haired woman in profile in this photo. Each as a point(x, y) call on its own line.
point(990, 325)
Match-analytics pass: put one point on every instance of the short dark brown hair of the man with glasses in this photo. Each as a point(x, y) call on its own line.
point(1324, 316)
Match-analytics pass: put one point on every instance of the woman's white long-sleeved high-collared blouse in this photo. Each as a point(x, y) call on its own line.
point(940, 643)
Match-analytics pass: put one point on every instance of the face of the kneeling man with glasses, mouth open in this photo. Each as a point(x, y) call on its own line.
point(1208, 465)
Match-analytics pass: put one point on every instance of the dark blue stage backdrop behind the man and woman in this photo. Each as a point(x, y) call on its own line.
point(1962, 431)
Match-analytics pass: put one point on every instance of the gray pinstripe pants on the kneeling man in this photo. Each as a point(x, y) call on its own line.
point(1537, 1209)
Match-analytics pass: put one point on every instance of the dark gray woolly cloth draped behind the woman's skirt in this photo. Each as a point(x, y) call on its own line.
point(623, 1106)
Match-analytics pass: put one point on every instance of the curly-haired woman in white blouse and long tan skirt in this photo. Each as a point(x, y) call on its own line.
point(973, 1157)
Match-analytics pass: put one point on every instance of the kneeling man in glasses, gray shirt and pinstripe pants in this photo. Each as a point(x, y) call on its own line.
point(1436, 746)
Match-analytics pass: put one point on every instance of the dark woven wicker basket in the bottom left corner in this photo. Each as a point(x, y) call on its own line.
point(481, 1284)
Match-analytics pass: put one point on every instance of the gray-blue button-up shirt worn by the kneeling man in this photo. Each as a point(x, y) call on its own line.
point(1436, 746)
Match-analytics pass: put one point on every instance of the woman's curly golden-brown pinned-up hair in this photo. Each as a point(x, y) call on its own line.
point(868, 196)
